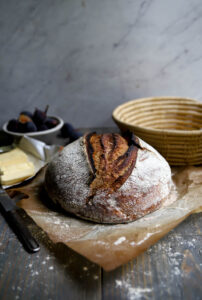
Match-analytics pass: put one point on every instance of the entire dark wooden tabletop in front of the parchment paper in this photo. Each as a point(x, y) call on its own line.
point(171, 269)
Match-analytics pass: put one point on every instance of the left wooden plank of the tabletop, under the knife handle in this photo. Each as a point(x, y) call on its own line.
point(53, 273)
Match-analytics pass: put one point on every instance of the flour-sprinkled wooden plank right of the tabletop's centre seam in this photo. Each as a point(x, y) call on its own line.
point(170, 269)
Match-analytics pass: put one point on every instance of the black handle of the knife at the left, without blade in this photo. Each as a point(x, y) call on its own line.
point(22, 231)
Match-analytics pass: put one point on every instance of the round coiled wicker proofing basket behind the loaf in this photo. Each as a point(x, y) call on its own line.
point(172, 125)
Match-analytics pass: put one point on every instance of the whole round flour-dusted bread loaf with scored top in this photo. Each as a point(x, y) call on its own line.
point(108, 178)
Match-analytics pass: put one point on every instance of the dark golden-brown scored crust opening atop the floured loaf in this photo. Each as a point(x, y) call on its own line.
point(112, 159)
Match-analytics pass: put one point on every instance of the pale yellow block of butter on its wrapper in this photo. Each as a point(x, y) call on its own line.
point(15, 166)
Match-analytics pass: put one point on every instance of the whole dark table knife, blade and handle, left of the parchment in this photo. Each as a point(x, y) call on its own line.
point(11, 212)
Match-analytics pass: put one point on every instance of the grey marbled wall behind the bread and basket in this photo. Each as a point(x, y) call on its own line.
point(85, 57)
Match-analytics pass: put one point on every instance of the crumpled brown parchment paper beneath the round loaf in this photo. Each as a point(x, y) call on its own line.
point(112, 245)
